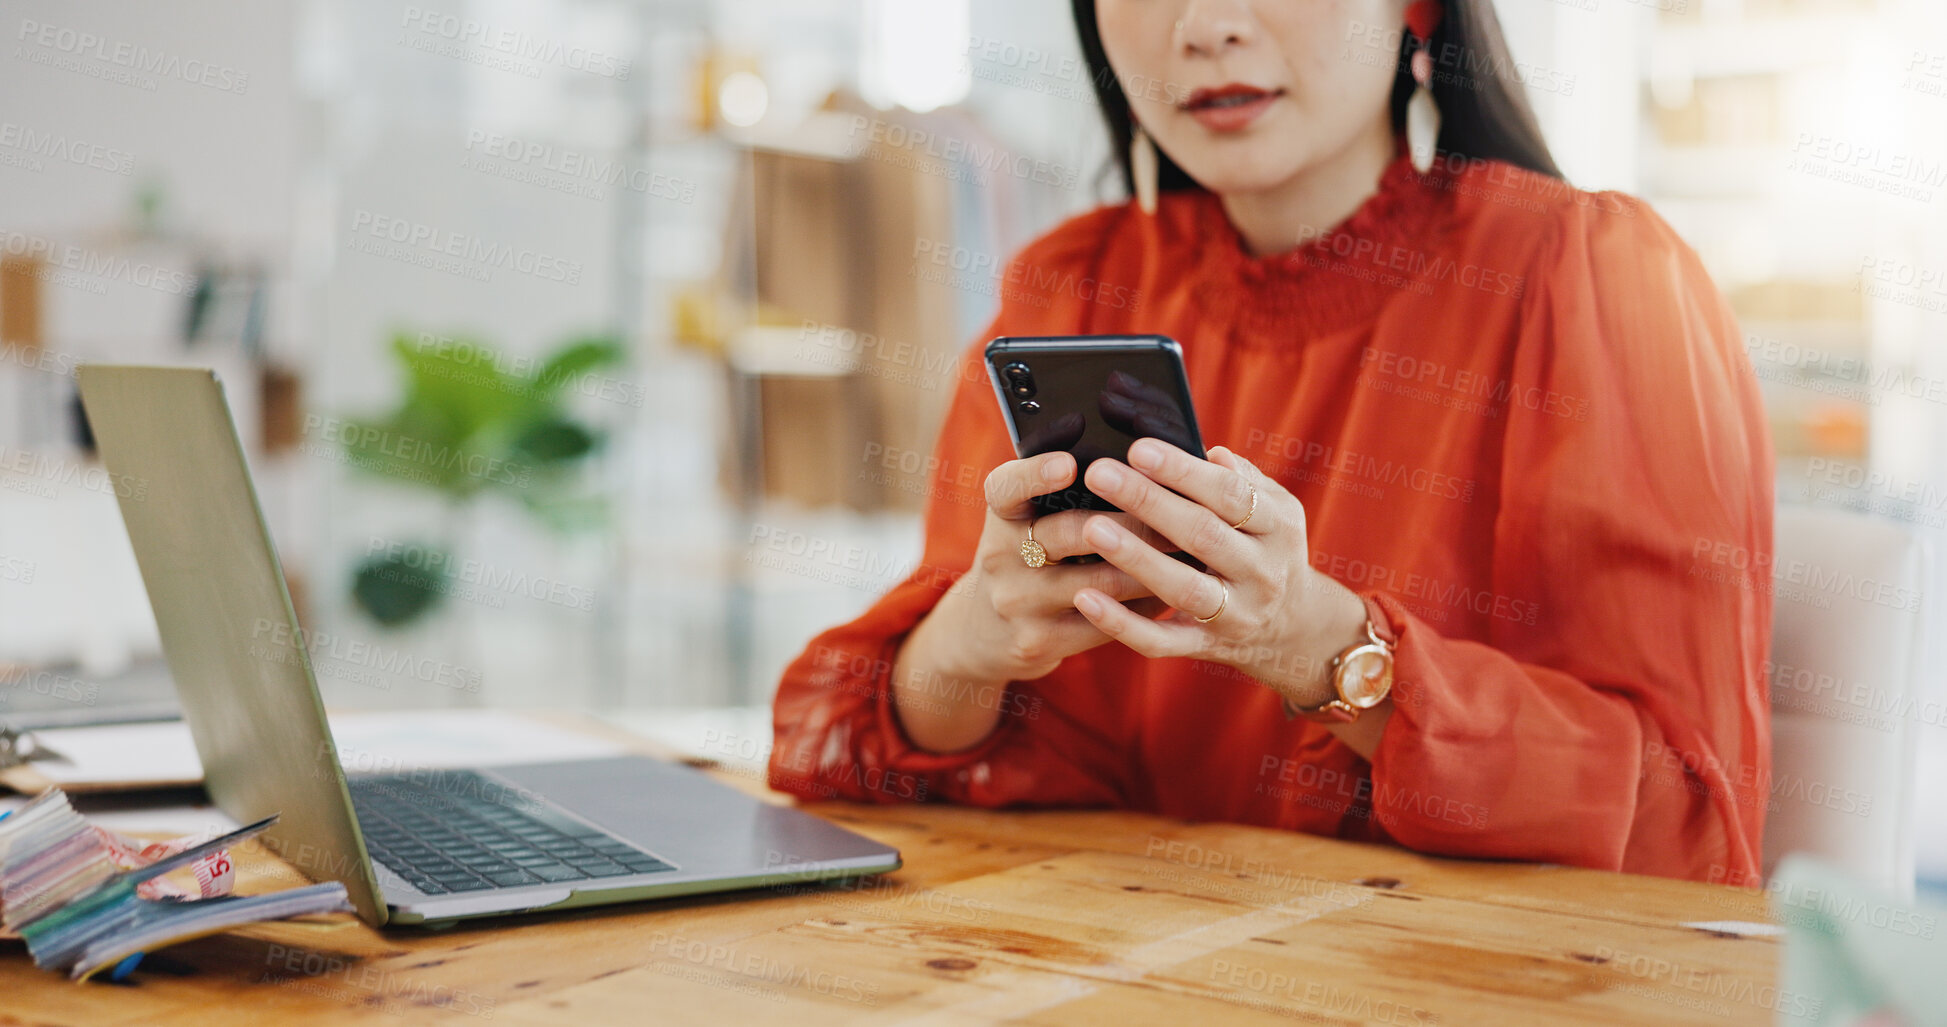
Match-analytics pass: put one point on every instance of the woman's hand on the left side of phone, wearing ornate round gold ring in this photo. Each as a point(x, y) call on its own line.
point(1008, 621)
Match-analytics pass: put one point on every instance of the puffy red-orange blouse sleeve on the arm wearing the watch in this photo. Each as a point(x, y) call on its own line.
point(1617, 714)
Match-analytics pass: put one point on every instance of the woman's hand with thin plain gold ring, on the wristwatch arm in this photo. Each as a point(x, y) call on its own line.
point(1272, 615)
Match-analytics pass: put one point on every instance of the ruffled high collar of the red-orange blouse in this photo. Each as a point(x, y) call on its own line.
point(1335, 280)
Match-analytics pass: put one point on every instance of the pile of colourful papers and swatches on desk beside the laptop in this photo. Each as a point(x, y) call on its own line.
point(67, 895)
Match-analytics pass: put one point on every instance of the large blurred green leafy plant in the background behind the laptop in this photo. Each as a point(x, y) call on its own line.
point(468, 426)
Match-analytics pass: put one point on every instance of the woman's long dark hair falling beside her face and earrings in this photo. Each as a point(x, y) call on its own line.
point(1485, 116)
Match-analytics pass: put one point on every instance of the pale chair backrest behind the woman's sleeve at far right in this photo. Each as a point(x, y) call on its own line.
point(1847, 664)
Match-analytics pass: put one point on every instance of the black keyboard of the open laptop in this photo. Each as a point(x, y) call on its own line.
point(466, 833)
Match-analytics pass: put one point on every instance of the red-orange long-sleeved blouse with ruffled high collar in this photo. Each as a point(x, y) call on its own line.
point(1518, 416)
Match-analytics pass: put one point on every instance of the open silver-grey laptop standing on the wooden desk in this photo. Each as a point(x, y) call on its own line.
point(423, 847)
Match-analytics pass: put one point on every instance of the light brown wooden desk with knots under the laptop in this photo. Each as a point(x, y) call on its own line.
point(1039, 917)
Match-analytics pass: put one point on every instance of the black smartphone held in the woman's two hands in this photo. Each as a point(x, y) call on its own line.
point(1091, 397)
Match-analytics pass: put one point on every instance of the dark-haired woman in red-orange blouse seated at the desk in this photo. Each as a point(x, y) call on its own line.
point(1479, 437)
